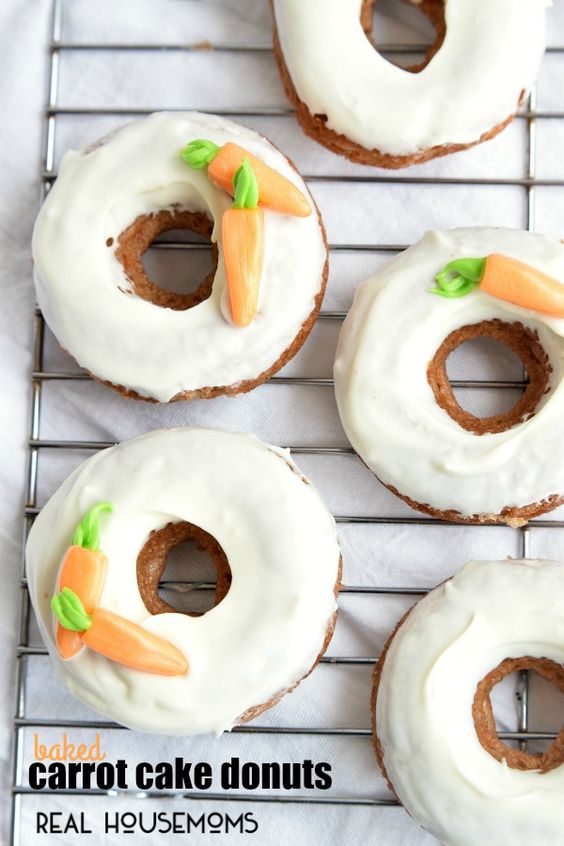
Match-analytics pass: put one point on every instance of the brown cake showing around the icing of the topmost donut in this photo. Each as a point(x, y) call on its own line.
point(315, 125)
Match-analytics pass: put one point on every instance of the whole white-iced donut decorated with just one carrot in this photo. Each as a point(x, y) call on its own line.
point(394, 398)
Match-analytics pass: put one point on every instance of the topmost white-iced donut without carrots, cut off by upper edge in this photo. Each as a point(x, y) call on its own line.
point(352, 100)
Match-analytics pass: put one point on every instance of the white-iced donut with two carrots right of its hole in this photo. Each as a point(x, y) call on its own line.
point(107, 205)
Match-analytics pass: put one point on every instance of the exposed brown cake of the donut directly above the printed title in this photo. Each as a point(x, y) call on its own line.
point(151, 563)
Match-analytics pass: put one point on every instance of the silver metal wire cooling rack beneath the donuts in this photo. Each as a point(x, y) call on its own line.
point(528, 182)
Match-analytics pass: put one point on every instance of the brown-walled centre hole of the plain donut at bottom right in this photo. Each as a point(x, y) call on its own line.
point(505, 682)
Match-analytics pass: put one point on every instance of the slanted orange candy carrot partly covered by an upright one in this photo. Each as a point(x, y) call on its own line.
point(276, 192)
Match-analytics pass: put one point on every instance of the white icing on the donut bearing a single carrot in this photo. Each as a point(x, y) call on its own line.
point(388, 409)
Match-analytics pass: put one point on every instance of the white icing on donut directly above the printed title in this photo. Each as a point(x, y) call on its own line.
point(282, 549)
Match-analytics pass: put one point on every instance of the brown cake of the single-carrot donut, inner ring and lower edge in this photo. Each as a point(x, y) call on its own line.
point(526, 345)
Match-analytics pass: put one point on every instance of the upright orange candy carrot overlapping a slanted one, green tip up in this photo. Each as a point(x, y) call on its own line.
point(242, 229)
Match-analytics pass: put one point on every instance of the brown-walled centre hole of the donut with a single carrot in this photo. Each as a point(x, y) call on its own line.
point(495, 409)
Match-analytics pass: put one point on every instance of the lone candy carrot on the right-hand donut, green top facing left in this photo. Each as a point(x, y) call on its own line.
point(506, 279)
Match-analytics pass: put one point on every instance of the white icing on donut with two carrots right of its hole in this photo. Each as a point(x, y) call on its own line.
point(86, 297)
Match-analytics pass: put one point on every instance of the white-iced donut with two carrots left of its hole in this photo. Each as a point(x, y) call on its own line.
point(98, 548)
